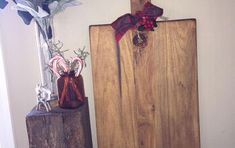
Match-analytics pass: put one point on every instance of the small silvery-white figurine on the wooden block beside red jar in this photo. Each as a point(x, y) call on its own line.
point(43, 97)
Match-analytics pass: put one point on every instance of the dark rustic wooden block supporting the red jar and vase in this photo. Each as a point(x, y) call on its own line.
point(59, 128)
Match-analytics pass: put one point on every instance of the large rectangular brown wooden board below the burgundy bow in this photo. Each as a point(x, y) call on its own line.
point(147, 100)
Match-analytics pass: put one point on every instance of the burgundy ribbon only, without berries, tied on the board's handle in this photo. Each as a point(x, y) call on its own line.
point(128, 21)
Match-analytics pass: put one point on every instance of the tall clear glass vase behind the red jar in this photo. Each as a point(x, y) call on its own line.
point(45, 40)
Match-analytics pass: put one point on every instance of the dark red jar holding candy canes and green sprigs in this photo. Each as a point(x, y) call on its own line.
point(70, 82)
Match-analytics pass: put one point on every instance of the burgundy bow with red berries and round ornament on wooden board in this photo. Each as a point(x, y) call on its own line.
point(143, 21)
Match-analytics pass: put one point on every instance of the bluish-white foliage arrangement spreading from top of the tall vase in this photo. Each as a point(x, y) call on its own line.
point(41, 11)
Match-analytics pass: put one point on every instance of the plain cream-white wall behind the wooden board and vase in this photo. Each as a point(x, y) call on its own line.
point(216, 33)
